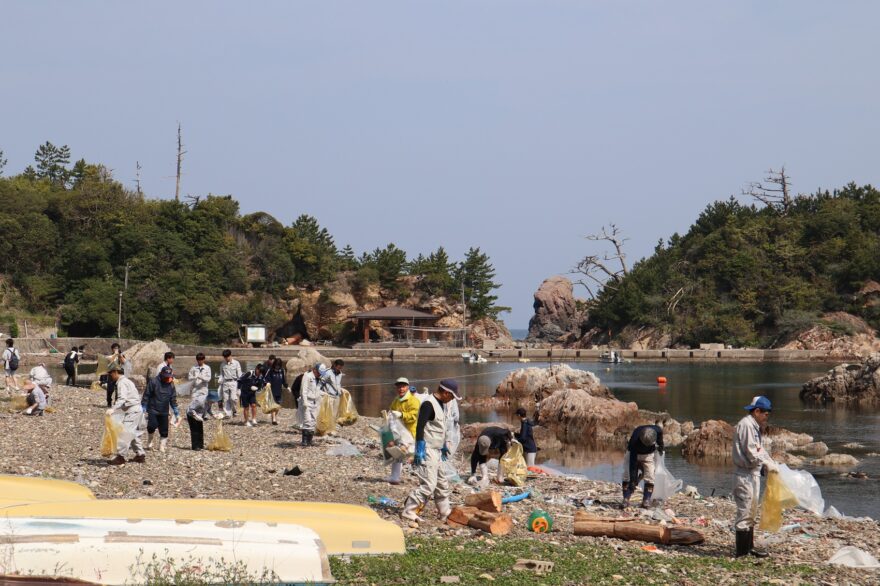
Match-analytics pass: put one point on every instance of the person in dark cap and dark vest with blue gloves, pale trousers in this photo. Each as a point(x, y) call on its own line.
point(431, 450)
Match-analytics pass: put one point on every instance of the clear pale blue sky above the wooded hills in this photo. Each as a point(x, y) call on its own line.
point(516, 127)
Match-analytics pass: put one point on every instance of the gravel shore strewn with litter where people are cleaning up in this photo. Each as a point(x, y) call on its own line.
point(66, 445)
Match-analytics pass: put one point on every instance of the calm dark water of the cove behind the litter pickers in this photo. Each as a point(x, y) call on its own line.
point(695, 391)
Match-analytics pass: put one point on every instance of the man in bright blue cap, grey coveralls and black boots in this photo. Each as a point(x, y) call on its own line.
point(750, 459)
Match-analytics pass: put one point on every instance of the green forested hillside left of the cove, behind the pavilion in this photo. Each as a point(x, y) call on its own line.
point(73, 238)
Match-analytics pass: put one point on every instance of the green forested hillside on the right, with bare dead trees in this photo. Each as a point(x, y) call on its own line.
point(753, 275)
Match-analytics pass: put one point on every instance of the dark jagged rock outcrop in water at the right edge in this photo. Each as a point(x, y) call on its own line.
point(846, 383)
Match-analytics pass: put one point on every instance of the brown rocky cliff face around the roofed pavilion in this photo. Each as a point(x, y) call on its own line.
point(324, 314)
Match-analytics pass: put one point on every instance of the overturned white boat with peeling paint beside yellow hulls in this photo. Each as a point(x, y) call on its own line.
point(125, 551)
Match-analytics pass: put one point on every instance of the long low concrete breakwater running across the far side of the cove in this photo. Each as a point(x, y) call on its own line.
point(102, 346)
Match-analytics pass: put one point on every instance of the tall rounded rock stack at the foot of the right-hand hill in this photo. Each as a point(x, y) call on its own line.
point(557, 319)
